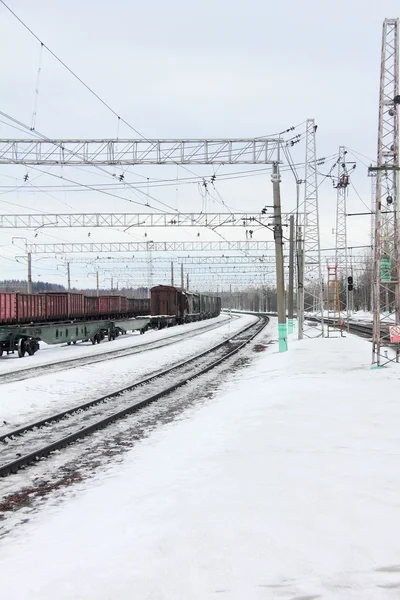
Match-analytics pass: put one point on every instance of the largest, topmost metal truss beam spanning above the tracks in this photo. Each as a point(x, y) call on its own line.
point(140, 152)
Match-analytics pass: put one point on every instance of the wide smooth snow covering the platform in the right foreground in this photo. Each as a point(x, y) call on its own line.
point(284, 485)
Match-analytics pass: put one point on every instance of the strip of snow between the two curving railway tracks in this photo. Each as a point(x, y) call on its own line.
point(29, 400)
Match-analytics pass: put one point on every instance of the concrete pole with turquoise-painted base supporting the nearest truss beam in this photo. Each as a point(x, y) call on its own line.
point(280, 282)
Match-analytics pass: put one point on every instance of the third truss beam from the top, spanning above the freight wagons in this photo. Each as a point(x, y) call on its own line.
point(132, 247)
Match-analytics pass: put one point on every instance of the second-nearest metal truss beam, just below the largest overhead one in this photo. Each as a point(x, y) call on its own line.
point(127, 220)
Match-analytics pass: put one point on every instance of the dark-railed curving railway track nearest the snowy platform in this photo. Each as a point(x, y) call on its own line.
point(28, 444)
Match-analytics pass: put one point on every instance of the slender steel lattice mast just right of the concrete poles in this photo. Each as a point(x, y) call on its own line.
point(313, 282)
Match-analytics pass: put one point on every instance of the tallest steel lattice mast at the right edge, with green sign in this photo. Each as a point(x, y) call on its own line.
point(386, 263)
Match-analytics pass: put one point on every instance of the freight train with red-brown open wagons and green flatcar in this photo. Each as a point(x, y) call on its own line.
point(26, 319)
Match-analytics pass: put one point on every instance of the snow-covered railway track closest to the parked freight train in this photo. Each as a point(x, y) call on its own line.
point(72, 363)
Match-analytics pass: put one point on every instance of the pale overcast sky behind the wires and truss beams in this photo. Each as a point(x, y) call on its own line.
point(183, 69)
